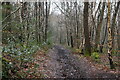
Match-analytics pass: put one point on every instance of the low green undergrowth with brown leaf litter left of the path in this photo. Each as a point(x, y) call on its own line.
point(17, 57)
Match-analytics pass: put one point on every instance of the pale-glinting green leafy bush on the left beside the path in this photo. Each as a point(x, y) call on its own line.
point(15, 55)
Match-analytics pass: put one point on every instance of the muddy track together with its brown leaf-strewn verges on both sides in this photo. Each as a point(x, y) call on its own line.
point(60, 62)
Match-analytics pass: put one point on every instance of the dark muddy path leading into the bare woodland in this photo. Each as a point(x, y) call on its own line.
point(63, 64)
